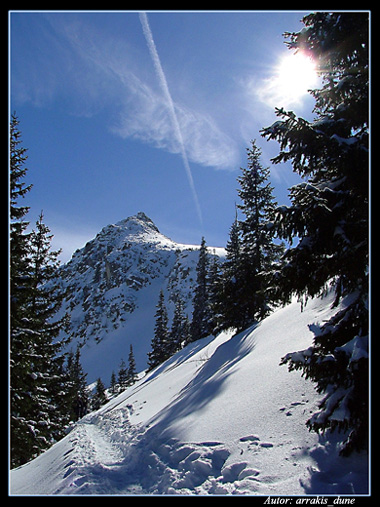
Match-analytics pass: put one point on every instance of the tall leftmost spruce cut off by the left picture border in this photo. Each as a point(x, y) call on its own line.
point(20, 337)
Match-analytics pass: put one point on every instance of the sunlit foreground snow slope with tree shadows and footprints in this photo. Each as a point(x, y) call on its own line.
point(220, 417)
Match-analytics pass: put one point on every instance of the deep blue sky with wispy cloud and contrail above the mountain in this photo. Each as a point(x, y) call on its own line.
point(115, 124)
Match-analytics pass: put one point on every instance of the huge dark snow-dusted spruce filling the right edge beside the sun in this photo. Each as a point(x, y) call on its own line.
point(329, 214)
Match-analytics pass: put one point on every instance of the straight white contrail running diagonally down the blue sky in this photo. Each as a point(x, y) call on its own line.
point(164, 85)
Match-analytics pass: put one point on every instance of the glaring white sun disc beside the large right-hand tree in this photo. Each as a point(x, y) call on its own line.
point(296, 74)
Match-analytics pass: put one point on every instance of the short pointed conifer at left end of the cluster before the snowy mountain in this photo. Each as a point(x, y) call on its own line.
point(159, 346)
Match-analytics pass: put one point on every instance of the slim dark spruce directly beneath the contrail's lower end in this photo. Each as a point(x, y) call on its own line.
point(200, 324)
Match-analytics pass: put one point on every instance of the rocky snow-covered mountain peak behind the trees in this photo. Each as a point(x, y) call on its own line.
point(112, 286)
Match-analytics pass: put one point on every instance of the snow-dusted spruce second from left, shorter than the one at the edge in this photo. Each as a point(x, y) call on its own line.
point(42, 355)
